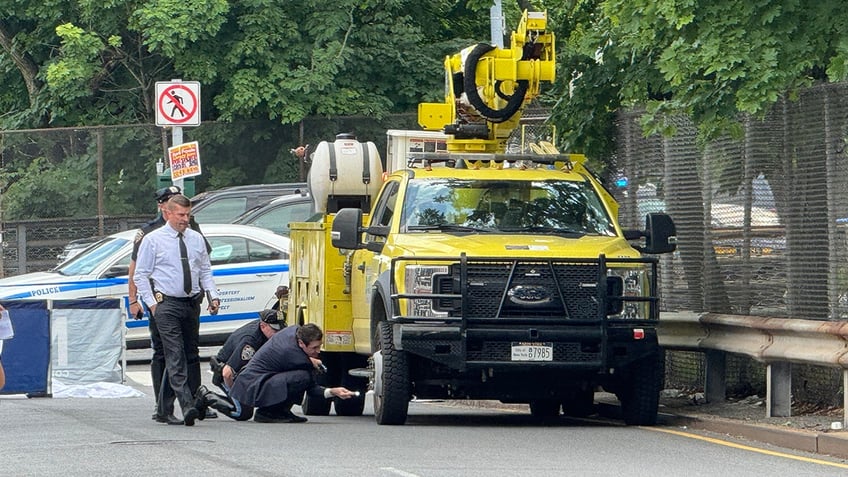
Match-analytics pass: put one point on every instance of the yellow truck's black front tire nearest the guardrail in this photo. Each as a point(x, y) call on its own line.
point(640, 397)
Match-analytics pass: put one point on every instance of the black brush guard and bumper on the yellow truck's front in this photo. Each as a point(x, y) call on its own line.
point(493, 303)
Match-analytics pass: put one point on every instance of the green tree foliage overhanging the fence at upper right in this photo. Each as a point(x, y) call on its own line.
point(708, 59)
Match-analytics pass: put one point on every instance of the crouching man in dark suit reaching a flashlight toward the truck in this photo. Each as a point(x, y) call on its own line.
point(281, 371)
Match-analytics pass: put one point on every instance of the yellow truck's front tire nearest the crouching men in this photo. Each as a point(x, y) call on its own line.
point(391, 379)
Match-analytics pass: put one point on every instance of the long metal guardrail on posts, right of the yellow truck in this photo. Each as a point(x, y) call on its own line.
point(777, 342)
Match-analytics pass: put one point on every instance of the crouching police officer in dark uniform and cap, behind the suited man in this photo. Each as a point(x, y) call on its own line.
point(237, 351)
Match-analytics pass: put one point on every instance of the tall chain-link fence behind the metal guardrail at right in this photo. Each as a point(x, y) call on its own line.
point(761, 223)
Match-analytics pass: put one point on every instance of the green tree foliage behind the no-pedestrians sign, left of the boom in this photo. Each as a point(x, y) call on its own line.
point(261, 63)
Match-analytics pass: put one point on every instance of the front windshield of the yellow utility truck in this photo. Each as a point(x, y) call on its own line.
point(555, 207)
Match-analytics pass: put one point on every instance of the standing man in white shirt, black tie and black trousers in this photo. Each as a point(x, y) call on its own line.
point(172, 272)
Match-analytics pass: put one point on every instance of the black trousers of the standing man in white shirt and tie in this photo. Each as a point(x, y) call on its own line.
point(178, 322)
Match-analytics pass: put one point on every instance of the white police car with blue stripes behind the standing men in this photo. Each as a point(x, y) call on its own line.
point(248, 264)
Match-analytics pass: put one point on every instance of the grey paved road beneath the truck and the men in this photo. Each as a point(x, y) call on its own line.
point(69, 437)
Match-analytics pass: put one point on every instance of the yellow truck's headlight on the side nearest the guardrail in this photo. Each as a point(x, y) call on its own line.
point(628, 283)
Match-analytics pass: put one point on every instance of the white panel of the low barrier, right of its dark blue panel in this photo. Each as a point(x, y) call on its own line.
point(86, 342)
